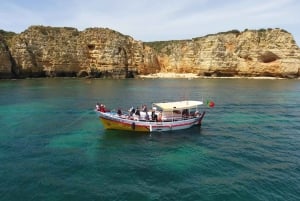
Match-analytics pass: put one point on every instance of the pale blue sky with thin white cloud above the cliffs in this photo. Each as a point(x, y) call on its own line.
point(154, 20)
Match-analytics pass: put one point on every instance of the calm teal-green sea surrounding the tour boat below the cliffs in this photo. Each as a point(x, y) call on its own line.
point(53, 147)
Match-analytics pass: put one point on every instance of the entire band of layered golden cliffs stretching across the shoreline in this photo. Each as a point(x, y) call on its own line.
point(96, 52)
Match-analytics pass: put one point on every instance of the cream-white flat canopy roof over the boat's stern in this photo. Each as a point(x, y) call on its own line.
point(170, 106)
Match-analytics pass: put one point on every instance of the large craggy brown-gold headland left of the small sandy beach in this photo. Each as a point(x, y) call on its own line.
point(96, 52)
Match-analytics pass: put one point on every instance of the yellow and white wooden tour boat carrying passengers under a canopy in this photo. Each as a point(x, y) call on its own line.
point(166, 116)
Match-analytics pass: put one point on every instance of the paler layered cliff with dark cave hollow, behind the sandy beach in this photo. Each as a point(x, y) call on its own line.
point(271, 52)
